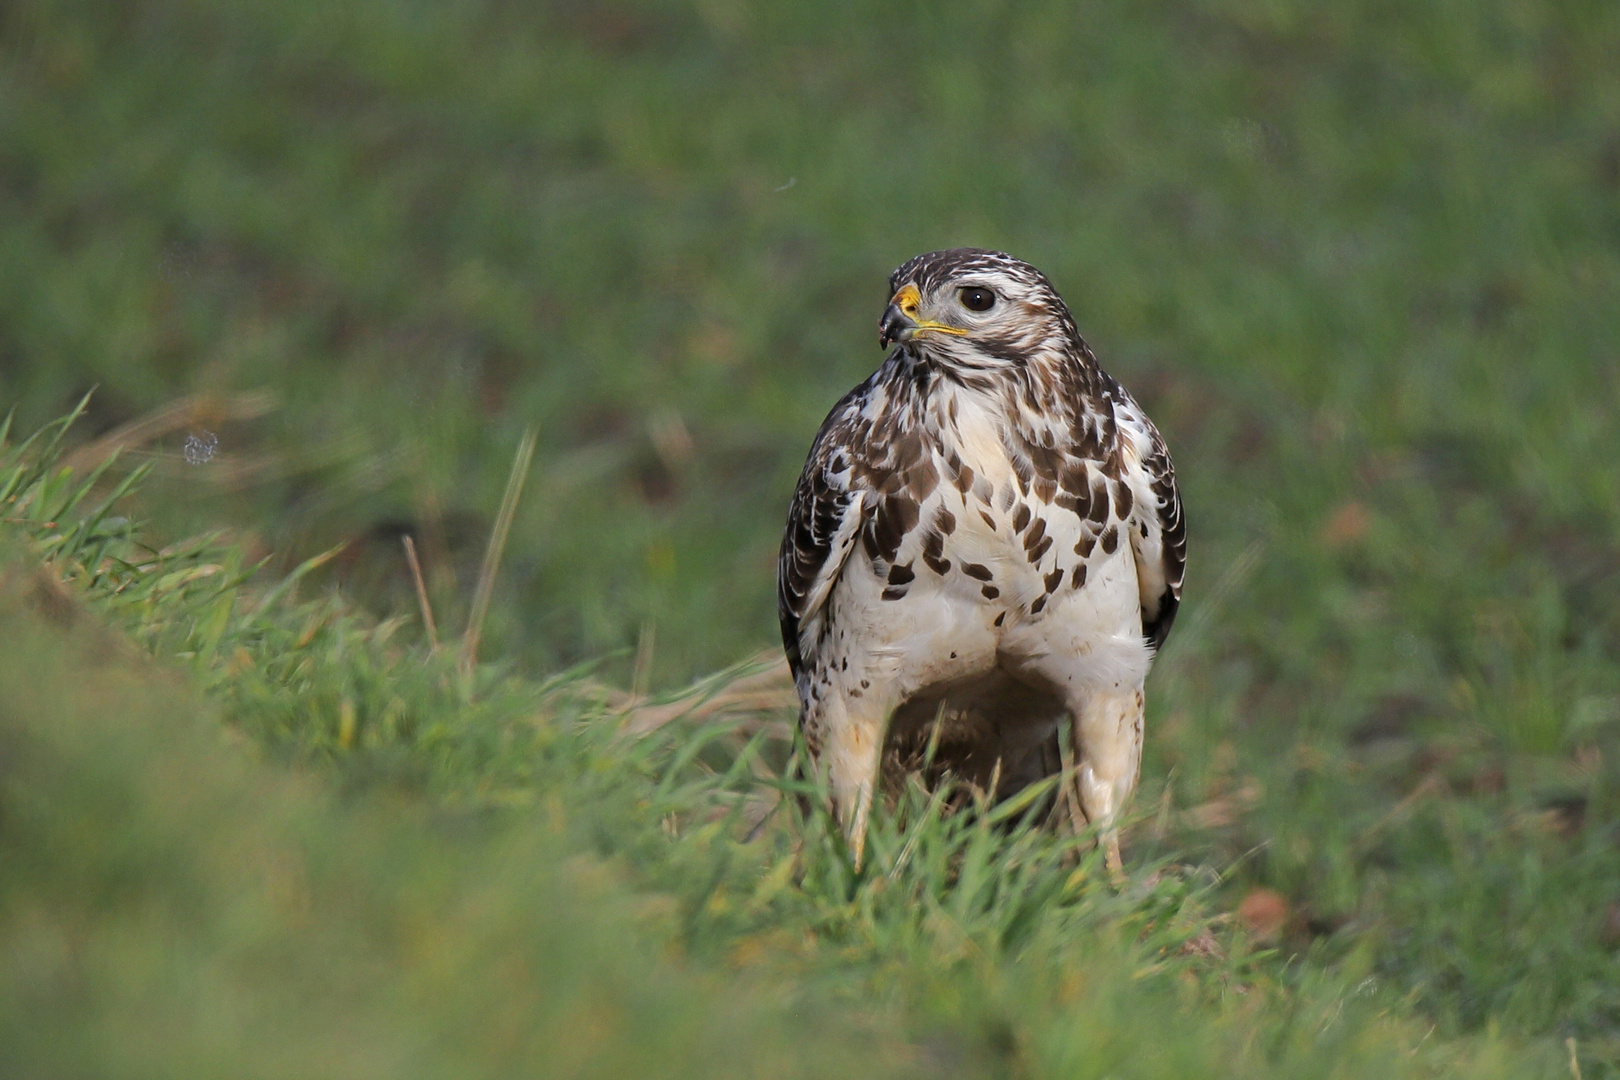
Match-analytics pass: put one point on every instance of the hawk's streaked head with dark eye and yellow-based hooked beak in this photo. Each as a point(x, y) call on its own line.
point(973, 308)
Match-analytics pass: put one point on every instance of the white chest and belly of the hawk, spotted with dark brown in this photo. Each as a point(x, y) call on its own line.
point(974, 556)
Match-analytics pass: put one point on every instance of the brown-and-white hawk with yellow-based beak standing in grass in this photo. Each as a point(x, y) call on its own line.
point(986, 542)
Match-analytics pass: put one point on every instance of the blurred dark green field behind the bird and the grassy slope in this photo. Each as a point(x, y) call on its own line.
point(1360, 261)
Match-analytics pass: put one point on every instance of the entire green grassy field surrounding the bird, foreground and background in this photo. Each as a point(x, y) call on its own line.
point(325, 266)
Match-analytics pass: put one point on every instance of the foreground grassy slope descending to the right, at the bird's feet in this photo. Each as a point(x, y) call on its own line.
point(480, 875)
